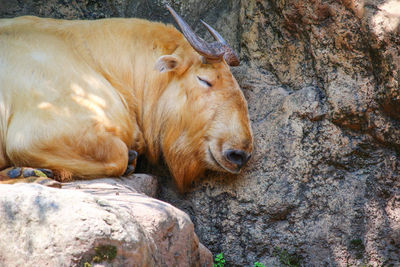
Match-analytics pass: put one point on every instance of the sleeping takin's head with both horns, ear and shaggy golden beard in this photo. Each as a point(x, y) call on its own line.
point(203, 115)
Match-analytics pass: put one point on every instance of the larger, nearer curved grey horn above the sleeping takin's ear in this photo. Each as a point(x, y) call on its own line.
point(212, 51)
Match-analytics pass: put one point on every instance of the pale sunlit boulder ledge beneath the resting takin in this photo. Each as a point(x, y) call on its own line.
point(104, 218)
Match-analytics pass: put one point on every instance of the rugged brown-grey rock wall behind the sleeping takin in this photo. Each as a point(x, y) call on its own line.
point(322, 81)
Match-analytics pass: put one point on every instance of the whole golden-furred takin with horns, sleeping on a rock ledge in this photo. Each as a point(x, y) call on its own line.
point(77, 96)
